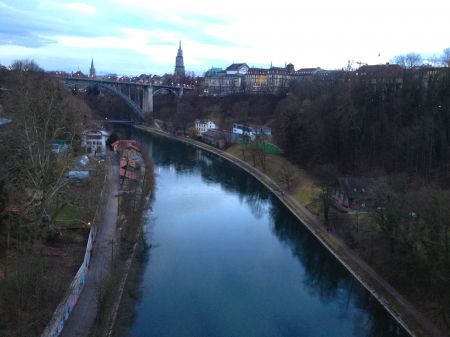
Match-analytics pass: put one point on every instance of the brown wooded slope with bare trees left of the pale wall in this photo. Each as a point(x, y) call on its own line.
point(32, 183)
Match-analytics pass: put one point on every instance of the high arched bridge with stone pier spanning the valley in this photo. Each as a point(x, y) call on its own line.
point(138, 96)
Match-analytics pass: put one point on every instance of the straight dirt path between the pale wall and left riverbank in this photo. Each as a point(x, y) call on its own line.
point(83, 315)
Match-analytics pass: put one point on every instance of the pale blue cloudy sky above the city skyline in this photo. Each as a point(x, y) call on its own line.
point(131, 37)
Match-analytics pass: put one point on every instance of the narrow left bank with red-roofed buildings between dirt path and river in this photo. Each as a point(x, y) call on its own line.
point(135, 189)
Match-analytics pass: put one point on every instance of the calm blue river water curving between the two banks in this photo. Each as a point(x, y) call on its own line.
point(228, 259)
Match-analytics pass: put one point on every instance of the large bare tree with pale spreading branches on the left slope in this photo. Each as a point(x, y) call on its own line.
point(41, 112)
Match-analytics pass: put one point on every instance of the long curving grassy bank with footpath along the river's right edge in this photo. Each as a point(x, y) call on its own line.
point(401, 310)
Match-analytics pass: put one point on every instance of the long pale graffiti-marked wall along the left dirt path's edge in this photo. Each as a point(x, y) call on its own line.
point(65, 307)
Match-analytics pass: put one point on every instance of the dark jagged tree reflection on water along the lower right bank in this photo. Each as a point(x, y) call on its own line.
point(330, 280)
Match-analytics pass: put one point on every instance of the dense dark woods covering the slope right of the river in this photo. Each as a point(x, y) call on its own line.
point(359, 125)
